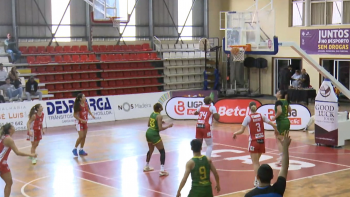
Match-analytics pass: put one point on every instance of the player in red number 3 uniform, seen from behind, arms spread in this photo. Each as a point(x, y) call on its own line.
point(255, 122)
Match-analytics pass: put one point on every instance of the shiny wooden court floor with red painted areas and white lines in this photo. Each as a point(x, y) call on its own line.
point(117, 152)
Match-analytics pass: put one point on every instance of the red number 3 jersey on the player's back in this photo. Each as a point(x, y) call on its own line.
point(256, 127)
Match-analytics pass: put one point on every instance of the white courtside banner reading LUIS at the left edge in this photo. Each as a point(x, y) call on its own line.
point(18, 114)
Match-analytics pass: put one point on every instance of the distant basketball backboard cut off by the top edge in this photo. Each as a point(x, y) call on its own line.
point(104, 9)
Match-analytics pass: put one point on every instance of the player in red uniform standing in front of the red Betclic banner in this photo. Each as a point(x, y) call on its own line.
point(206, 113)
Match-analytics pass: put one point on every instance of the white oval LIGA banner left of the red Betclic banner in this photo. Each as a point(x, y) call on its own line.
point(183, 108)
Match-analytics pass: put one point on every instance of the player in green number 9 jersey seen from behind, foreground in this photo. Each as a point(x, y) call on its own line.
point(199, 167)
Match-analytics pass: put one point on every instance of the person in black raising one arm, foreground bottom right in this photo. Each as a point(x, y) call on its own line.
point(265, 175)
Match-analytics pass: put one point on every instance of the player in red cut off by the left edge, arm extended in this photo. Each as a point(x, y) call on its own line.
point(6, 145)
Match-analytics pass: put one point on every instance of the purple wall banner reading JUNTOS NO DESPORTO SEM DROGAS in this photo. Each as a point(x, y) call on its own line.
point(325, 41)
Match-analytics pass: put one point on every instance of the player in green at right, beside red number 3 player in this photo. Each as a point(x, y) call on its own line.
point(282, 109)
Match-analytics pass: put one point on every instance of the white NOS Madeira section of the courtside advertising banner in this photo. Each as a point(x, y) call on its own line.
point(136, 105)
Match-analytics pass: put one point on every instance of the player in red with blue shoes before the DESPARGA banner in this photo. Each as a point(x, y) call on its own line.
point(81, 114)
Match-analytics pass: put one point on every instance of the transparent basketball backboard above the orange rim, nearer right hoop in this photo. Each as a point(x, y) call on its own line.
point(256, 28)
